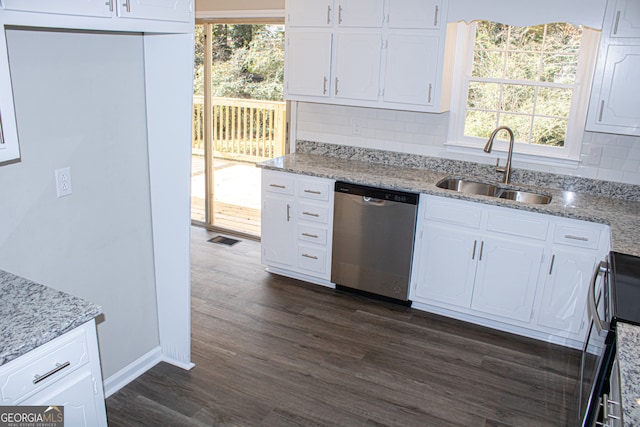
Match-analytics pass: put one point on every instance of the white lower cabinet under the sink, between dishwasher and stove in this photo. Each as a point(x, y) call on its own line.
point(522, 272)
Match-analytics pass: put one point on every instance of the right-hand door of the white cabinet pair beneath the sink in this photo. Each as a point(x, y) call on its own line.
point(506, 278)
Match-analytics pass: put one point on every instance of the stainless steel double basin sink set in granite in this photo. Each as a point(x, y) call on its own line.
point(467, 186)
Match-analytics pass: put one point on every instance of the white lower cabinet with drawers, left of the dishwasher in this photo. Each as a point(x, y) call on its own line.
point(297, 225)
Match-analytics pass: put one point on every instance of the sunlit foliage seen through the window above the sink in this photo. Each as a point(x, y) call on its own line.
point(521, 77)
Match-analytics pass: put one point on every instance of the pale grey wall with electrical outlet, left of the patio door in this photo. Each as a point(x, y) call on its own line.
point(80, 102)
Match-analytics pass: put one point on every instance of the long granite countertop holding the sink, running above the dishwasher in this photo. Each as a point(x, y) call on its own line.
point(623, 216)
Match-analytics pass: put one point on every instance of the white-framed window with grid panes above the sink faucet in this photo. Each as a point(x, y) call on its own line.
point(535, 80)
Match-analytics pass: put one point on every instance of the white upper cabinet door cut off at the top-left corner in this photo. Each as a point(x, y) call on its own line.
point(64, 7)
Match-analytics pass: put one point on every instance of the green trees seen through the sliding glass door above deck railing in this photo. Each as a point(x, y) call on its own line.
point(248, 62)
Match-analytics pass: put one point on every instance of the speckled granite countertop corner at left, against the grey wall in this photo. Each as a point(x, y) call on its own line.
point(32, 314)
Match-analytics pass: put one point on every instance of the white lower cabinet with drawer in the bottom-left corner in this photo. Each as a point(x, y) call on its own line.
point(63, 372)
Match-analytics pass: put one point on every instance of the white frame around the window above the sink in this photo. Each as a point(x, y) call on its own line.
point(569, 155)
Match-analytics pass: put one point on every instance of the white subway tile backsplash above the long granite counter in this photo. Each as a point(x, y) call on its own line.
point(615, 157)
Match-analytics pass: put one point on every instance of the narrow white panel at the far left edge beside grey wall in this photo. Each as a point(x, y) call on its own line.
point(9, 147)
